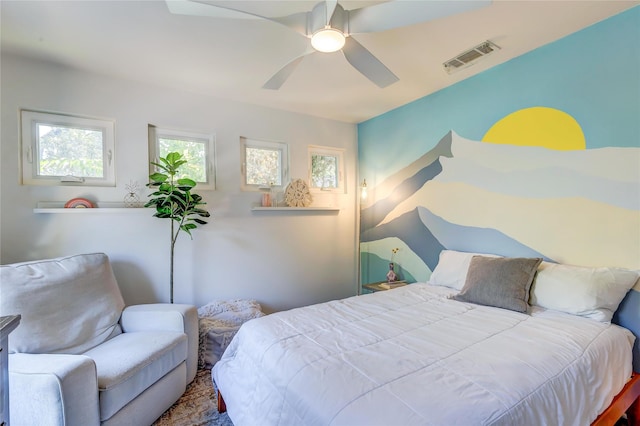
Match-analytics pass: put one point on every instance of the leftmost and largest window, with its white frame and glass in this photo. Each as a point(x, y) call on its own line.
point(60, 149)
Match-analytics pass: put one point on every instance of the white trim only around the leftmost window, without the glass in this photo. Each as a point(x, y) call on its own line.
point(29, 148)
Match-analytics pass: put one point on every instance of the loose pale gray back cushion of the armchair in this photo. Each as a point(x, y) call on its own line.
point(39, 291)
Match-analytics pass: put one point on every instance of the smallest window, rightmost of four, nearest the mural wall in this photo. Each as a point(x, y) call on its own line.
point(326, 169)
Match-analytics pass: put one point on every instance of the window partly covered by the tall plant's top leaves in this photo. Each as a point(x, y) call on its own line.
point(197, 149)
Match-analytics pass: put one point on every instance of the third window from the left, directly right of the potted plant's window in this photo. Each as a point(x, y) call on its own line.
point(264, 164)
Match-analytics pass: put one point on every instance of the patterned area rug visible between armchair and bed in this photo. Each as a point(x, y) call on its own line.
point(197, 407)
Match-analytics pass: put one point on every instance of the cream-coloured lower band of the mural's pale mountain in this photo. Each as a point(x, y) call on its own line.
point(569, 230)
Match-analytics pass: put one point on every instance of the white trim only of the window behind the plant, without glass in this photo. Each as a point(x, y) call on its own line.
point(154, 154)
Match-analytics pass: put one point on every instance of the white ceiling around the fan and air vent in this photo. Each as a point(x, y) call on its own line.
point(232, 59)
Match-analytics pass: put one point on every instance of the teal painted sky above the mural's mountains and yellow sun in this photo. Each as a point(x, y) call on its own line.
point(593, 75)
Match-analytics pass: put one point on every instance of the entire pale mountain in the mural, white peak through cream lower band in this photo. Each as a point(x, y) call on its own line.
point(581, 222)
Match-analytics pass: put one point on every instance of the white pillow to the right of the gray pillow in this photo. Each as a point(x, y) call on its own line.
point(589, 292)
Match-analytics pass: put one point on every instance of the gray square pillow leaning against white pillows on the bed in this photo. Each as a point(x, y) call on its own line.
point(500, 282)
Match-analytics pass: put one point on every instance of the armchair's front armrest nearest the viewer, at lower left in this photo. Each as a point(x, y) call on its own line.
point(53, 389)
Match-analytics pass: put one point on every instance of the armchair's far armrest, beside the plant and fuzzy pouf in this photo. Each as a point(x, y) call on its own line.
point(166, 317)
